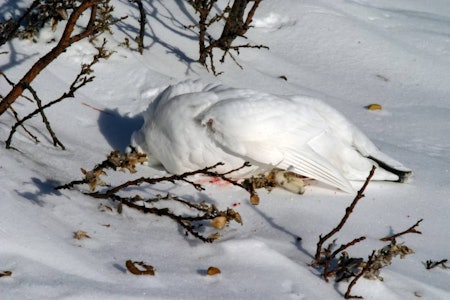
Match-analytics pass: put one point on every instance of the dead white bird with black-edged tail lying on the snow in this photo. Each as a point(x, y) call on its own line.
point(192, 125)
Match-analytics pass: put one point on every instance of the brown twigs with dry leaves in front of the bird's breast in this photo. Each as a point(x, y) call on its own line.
point(191, 221)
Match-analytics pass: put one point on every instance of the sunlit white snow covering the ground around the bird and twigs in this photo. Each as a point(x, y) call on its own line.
point(348, 53)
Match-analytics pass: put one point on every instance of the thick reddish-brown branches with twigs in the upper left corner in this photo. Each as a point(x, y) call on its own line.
point(34, 17)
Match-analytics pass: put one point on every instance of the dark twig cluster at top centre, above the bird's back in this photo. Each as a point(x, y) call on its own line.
point(237, 22)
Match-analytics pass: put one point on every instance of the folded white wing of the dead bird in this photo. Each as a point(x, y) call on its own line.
point(272, 131)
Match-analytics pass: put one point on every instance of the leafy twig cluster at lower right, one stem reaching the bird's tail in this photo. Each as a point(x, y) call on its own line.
point(340, 265)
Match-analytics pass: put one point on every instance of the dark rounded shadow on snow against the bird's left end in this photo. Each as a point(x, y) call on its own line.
point(117, 129)
